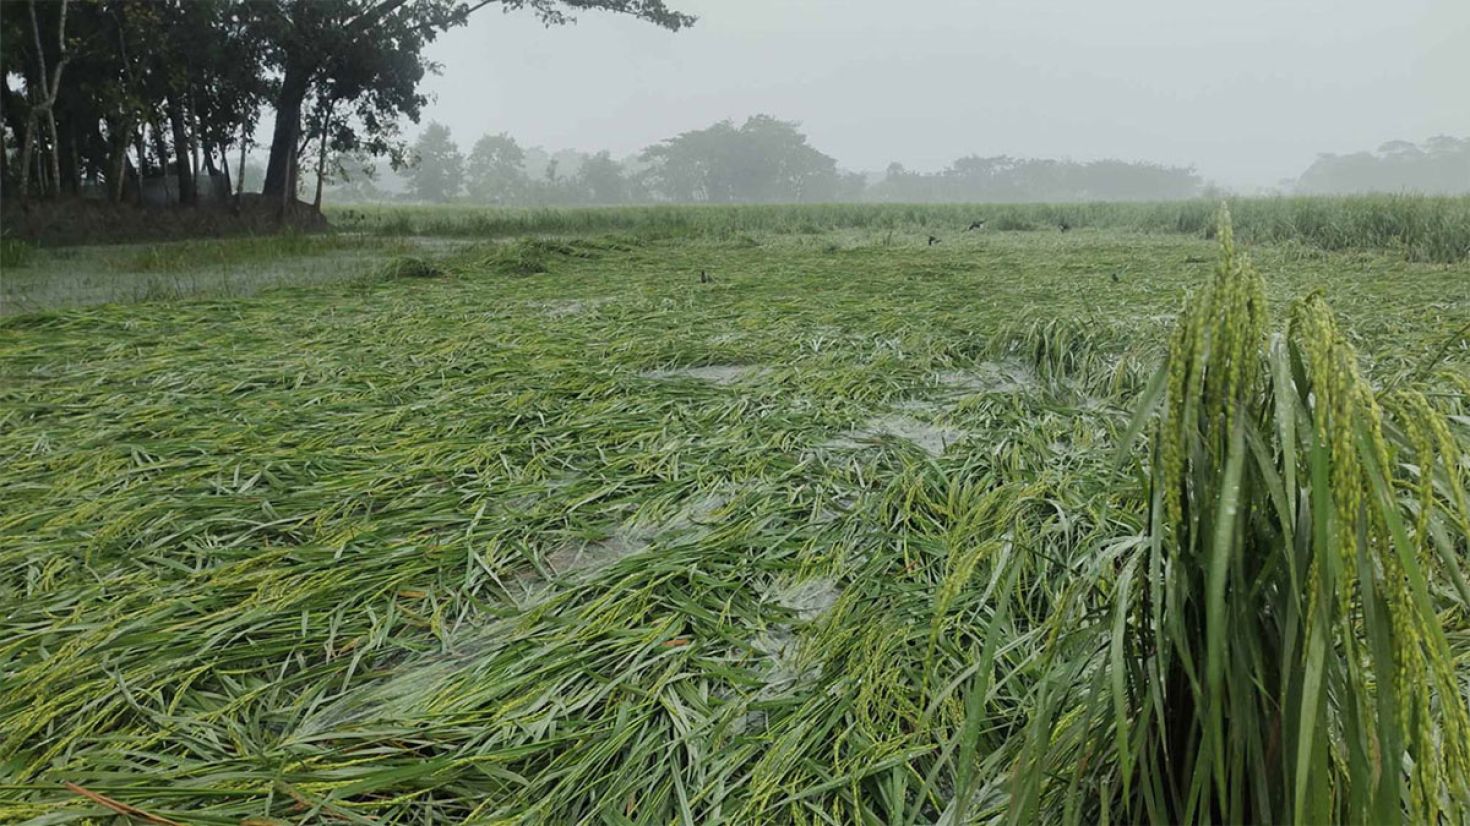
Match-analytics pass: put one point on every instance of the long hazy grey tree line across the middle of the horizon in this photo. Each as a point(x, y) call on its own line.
point(761, 161)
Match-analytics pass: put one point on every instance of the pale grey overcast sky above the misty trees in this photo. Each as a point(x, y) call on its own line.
point(1249, 92)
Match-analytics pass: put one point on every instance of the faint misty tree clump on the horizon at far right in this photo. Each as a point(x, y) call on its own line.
point(1440, 167)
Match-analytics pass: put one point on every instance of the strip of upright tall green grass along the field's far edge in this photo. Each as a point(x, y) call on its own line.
point(1421, 229)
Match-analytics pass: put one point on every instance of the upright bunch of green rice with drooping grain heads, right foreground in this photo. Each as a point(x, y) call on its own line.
point(1274, 650)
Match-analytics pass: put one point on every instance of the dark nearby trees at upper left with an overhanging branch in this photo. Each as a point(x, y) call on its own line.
point(99, 96)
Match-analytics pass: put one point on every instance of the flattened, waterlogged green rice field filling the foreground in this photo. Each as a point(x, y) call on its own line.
point(1025, 527)
